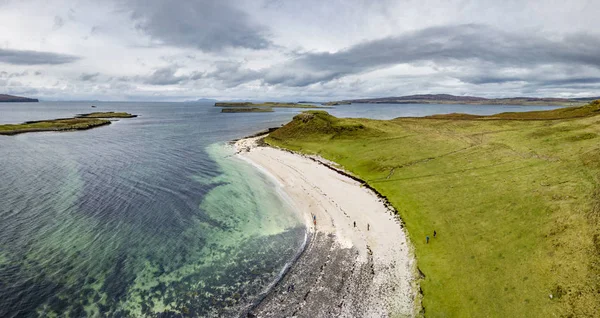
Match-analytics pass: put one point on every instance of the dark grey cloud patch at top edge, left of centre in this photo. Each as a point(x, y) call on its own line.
point(203, 24)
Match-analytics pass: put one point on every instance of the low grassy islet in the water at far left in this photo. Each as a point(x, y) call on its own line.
point(79, 122)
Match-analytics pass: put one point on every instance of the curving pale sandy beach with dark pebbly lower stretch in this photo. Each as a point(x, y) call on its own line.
point(367, 270)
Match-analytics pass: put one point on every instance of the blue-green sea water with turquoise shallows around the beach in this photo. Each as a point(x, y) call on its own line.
point(151, 216)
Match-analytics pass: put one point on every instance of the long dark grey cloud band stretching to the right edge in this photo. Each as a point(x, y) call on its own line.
point(479, 45)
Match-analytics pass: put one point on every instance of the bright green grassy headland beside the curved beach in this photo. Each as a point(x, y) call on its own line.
point(514, 198)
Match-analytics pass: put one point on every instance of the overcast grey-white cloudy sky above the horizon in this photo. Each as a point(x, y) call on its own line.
point(295, 49)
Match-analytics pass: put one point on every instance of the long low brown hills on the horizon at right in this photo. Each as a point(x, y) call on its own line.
point(469, 100)
